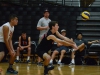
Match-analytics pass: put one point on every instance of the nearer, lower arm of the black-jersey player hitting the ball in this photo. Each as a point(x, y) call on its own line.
point(52, 37)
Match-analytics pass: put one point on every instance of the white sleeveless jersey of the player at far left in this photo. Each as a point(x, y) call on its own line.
point(11, 30)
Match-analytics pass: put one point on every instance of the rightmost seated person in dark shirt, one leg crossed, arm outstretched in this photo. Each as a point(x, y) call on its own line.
point(81, 43)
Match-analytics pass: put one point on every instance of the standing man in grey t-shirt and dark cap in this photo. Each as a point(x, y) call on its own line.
point(42, 26)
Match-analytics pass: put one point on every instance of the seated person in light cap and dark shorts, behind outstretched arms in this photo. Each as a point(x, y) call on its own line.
point(60, 49)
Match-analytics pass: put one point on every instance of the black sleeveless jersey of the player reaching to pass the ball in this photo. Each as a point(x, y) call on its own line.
point(46, 45)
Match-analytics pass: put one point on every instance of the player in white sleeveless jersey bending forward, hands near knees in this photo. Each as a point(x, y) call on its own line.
point(6, 33)
